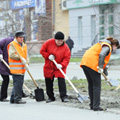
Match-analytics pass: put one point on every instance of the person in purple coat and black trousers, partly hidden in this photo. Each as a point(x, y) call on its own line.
point(4, 71)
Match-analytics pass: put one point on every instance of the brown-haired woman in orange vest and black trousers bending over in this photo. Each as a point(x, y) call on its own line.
point(98, 55)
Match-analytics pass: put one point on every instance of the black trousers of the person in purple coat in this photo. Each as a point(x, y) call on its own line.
point(4, 86)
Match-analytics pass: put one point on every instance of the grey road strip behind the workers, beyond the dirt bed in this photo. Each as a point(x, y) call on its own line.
point(73, 71)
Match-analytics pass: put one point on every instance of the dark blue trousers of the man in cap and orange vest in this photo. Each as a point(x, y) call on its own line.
point(17, 87)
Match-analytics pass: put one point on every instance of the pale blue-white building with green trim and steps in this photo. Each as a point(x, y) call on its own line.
point(93, 20)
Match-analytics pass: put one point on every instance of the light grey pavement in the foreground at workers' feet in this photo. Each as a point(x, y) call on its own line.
point(33, 110)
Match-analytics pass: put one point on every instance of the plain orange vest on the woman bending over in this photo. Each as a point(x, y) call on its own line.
point(91, 56)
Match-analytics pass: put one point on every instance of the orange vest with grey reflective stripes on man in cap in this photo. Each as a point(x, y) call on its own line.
point(17, 67)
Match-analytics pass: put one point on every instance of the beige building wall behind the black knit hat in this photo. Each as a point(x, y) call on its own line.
point(60, 18)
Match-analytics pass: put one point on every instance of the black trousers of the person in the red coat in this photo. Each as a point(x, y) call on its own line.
point(49, 88)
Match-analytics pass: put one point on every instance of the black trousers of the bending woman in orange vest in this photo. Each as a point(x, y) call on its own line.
point(94, 86)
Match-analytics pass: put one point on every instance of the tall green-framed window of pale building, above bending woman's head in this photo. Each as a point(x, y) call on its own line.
point(106, 20)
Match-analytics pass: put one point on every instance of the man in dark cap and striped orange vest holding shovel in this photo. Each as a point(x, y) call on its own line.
point(17, 67)
